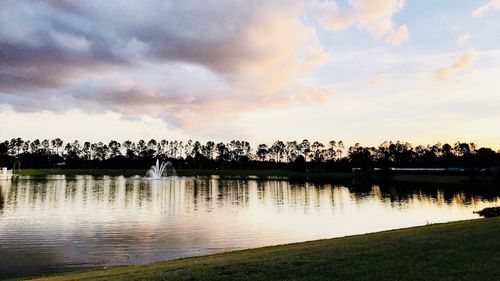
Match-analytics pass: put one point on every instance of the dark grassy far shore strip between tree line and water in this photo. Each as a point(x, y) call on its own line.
point(335, 177)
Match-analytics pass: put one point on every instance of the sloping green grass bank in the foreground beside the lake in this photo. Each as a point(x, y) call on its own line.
point(467, 250)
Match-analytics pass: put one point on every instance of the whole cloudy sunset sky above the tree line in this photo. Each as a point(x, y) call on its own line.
point(422, 71)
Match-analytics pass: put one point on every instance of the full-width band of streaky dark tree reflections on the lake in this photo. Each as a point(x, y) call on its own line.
point(175, 196)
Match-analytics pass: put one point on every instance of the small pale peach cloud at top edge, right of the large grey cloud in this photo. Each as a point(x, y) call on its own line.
point(375, 16)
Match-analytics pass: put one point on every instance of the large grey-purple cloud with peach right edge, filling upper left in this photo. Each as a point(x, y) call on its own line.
point(181, 61)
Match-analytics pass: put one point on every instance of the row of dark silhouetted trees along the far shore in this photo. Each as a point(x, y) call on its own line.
point(300, 155)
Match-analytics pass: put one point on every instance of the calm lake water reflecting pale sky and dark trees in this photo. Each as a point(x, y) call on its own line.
point(59, 224)
